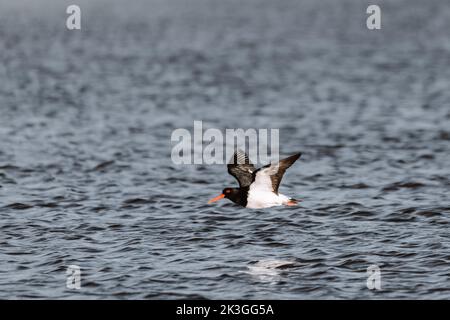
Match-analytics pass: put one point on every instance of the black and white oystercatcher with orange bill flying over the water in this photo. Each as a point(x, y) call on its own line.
point(258, 188)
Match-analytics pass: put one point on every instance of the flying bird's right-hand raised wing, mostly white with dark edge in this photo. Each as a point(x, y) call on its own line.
point(268, 178)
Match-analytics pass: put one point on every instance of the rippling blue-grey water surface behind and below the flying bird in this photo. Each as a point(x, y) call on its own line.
point(86, 176)
